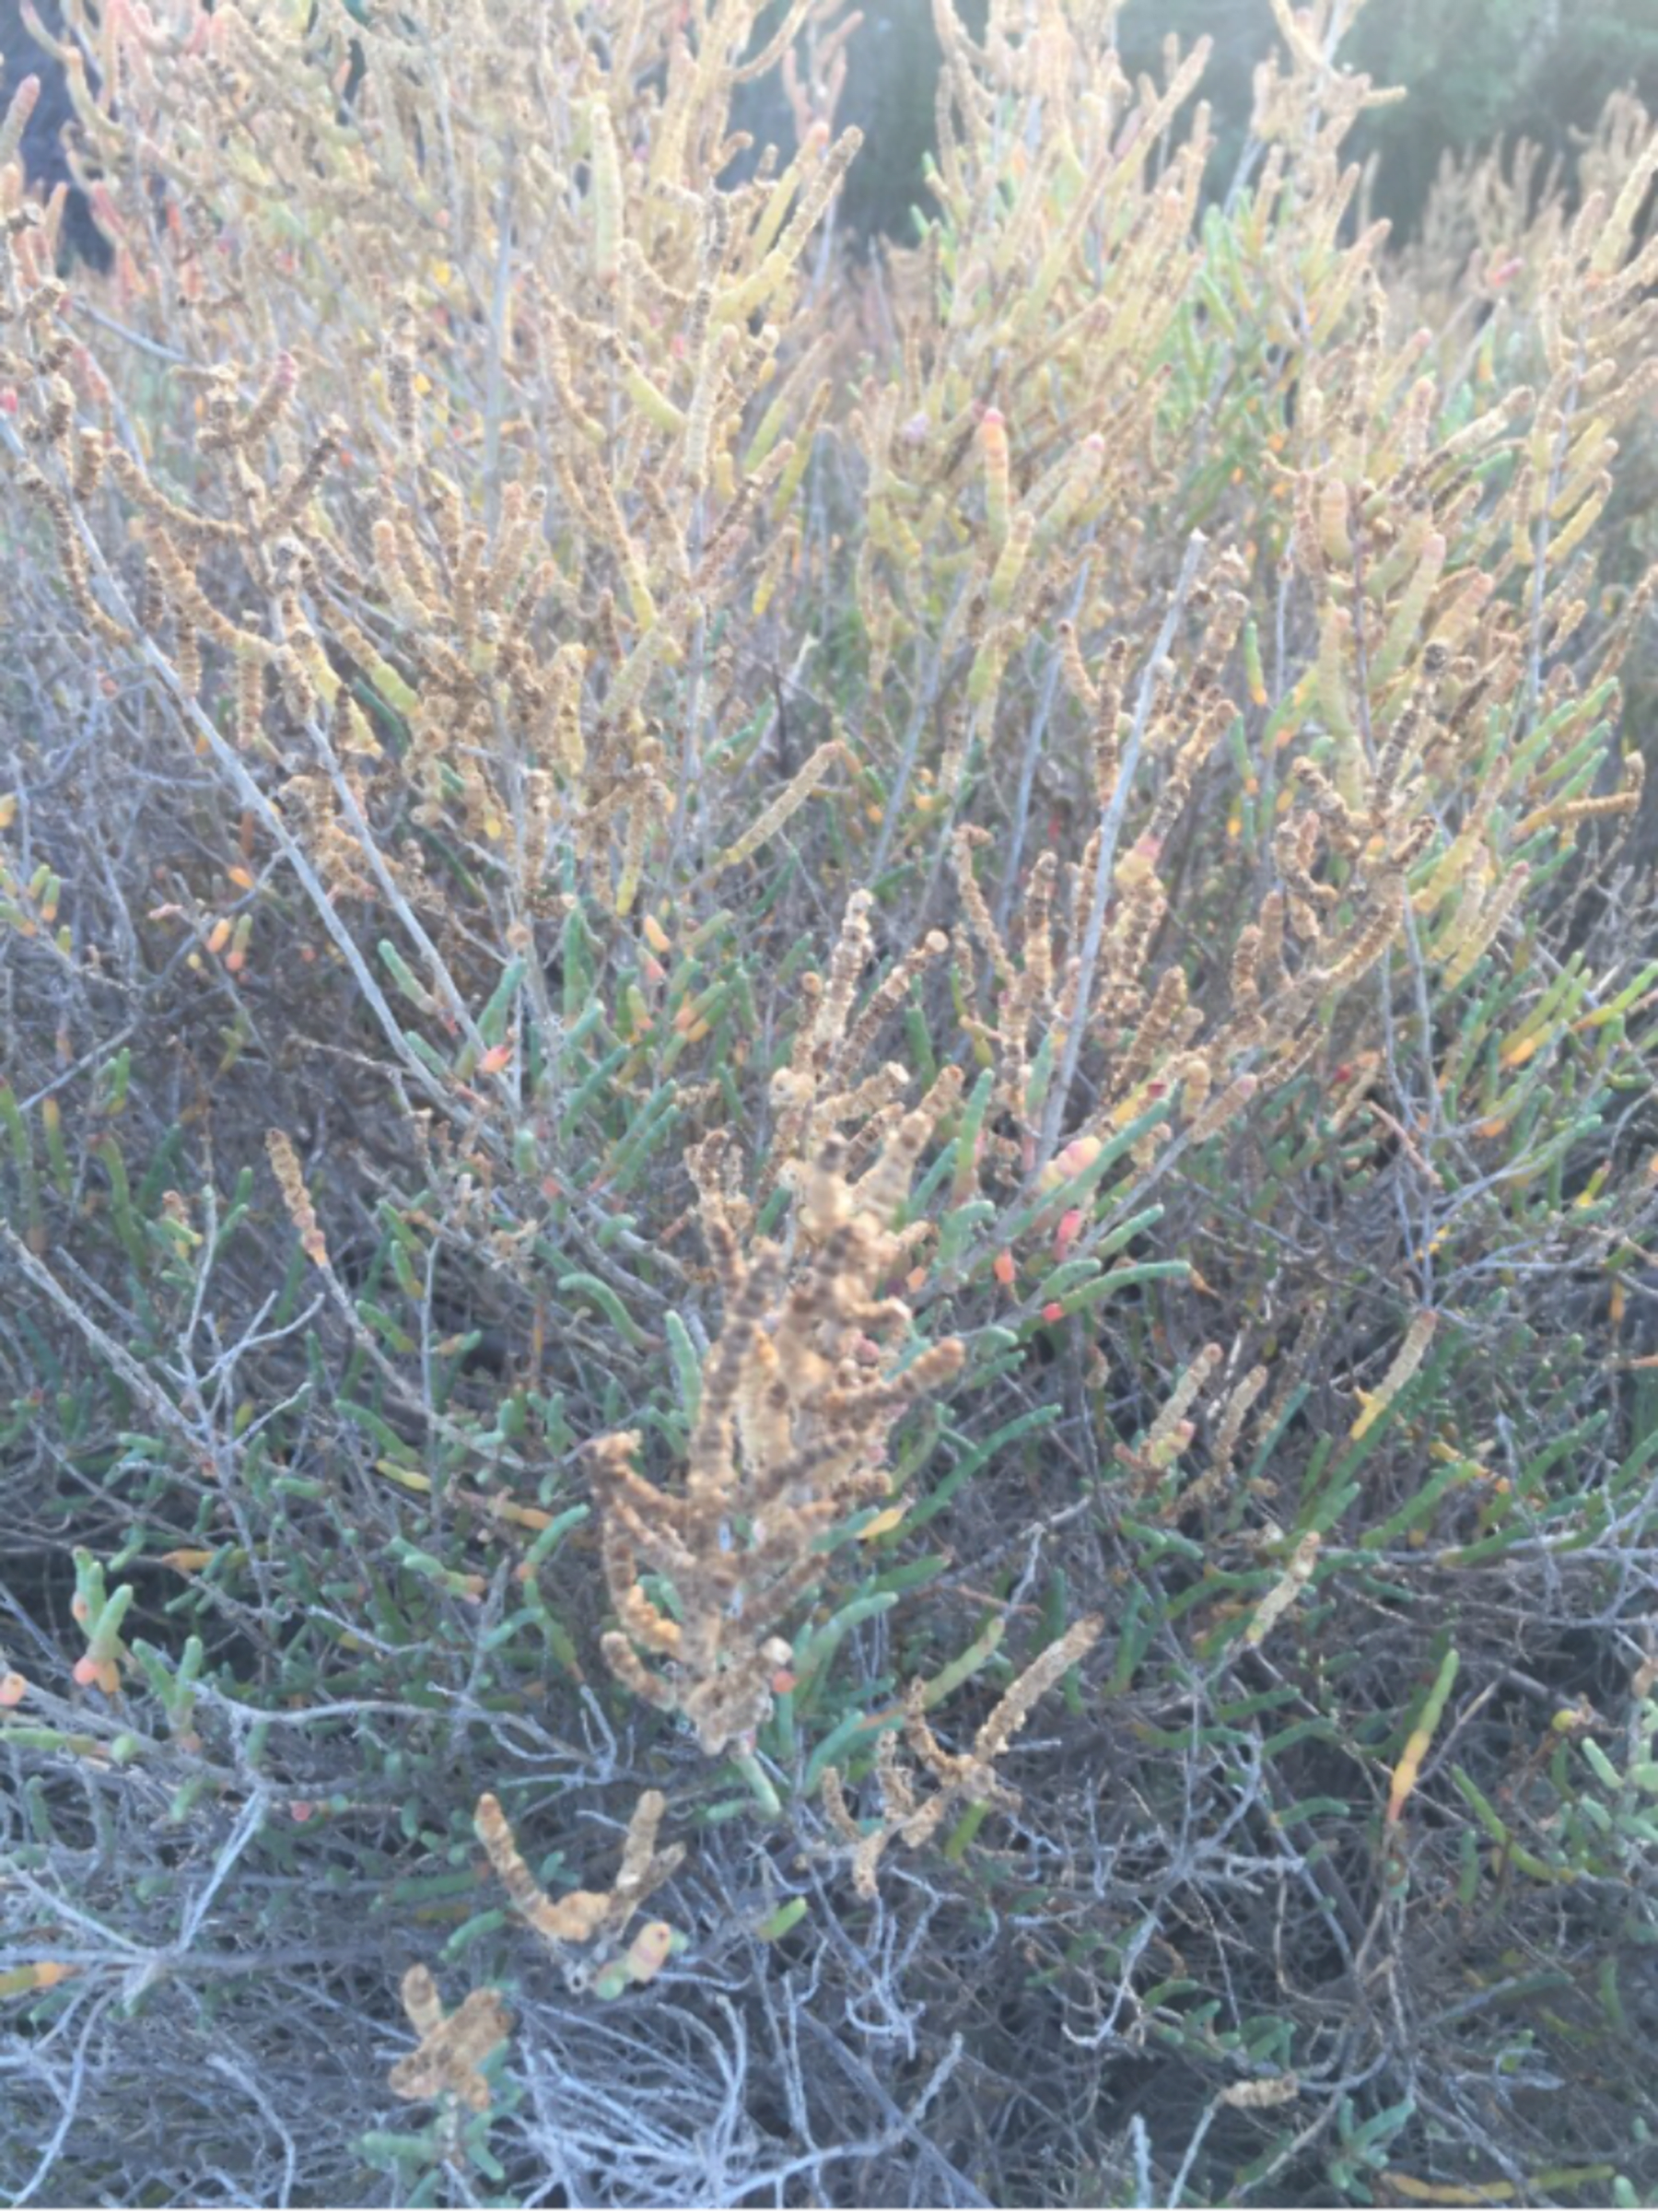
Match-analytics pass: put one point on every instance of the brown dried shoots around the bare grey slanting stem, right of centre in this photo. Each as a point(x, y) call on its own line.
point(1095, 932)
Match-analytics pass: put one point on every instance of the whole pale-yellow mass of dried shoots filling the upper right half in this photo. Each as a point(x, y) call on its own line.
point(1014, 450)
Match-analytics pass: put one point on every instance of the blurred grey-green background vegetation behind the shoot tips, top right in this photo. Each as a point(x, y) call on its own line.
point(1476, 72)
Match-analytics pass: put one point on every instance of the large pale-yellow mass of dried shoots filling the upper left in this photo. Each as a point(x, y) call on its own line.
point(567, 441)
